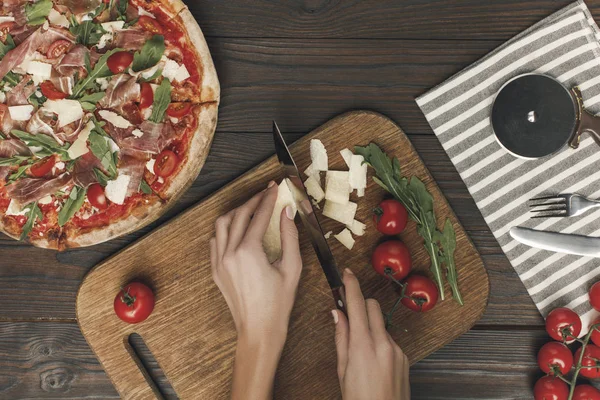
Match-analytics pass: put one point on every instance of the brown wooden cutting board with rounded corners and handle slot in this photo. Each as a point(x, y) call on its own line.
point(191, 333)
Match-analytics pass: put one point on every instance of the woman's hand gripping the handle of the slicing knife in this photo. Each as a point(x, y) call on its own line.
point(370, 363)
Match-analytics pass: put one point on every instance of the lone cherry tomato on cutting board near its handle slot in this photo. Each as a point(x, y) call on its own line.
point(134, 303)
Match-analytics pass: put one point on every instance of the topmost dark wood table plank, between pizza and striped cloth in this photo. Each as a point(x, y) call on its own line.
point(416, 19)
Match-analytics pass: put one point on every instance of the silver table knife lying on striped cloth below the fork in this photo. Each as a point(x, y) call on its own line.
point(559, 242)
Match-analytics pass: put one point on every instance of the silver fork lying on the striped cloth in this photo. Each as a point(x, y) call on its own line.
point(562, 205)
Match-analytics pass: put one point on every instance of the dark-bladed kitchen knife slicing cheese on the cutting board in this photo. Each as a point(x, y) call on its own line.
point(309, 220)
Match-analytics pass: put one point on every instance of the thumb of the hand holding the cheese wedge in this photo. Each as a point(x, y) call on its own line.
point(291, 260)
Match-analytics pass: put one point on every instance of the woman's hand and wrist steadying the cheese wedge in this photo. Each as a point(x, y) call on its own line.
point(260, 295)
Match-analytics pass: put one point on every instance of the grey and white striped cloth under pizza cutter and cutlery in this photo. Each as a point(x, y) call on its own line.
point(565, 45)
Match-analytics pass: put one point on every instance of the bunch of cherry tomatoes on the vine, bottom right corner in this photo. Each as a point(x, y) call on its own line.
point(556, 359)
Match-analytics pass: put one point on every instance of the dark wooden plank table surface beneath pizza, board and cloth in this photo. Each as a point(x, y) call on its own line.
point(302, 62)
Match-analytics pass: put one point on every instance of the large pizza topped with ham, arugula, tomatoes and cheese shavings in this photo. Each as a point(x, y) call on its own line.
point(107, 112)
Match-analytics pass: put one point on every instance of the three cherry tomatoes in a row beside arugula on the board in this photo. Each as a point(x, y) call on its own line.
point(392, 260)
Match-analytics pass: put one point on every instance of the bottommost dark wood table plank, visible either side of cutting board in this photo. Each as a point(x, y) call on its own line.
point(53, 361)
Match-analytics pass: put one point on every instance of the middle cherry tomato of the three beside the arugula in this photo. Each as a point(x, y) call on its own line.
point(392, 259)
